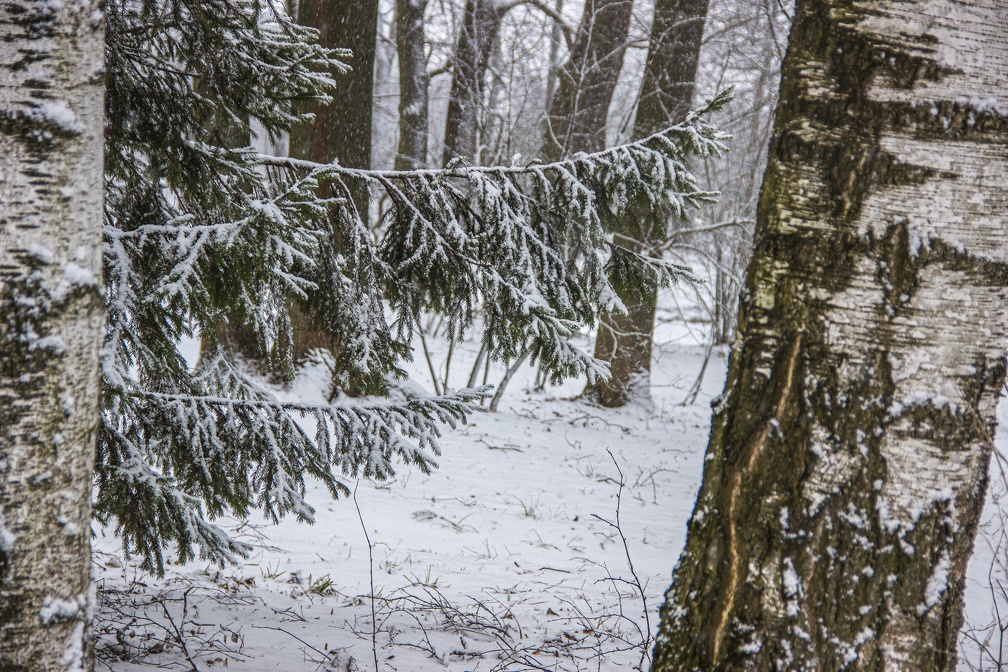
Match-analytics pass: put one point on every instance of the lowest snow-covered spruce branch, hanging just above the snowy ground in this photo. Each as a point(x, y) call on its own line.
point(227, 445)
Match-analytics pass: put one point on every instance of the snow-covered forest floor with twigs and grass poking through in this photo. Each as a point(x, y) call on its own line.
point(507, 558)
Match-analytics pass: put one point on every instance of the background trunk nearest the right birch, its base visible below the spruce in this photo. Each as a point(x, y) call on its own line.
point(626, 341)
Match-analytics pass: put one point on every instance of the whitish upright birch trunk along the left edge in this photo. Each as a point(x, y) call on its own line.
point(52, 67)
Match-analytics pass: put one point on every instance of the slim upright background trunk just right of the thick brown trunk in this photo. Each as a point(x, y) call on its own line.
point(410, 39)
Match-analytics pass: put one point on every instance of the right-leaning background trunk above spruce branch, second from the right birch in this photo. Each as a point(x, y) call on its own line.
point(586, 82)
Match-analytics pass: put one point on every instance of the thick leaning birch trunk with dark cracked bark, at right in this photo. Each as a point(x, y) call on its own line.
point(848, 457)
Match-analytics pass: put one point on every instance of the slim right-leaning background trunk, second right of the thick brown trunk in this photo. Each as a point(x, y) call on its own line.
point(475, 46)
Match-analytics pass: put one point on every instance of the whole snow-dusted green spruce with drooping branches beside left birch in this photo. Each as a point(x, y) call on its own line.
point(198, 231)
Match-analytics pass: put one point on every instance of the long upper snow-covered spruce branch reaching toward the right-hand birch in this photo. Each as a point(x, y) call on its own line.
point(532, 243)
